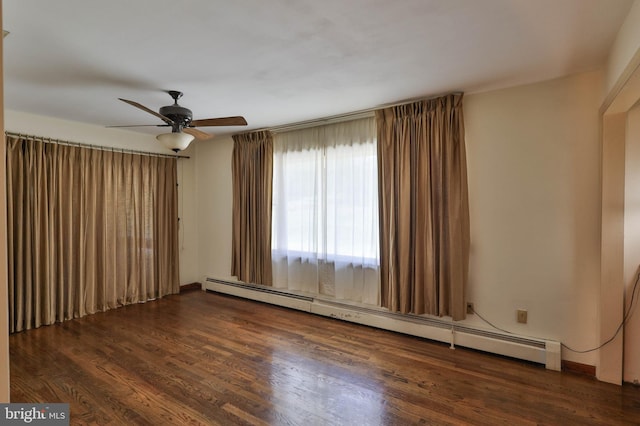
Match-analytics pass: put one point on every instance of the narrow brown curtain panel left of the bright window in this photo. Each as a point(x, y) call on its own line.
point(252, 170)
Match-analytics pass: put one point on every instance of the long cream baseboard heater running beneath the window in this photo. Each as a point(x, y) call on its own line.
point(540, 351)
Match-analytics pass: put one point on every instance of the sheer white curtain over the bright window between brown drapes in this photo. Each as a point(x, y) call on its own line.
point(325, 211)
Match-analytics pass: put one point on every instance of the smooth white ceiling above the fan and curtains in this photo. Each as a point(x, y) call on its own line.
point(284, 61)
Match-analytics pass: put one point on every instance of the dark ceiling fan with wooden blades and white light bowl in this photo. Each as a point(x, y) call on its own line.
point(183, 126)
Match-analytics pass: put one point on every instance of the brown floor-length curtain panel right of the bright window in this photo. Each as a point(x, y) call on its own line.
point(424, 213)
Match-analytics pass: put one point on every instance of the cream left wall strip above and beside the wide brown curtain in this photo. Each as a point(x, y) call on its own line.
point(31, 124)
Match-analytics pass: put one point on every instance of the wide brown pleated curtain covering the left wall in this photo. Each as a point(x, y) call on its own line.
point(88, 230)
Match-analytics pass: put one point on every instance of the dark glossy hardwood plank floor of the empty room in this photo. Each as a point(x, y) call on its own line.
point(203, 358)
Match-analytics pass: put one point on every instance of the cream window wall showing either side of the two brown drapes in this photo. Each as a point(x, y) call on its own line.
point(533, 154)
